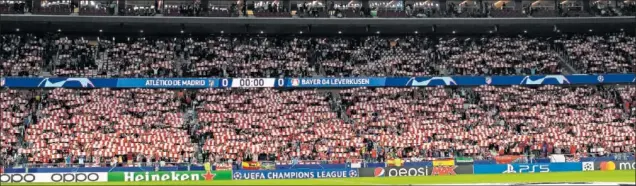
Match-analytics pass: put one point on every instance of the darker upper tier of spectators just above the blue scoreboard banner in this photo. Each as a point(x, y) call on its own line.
point(229, 56)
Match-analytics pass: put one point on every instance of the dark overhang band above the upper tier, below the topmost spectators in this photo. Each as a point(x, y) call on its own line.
point(202, 26)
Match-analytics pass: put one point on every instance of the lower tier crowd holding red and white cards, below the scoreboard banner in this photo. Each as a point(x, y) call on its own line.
point(140, 125)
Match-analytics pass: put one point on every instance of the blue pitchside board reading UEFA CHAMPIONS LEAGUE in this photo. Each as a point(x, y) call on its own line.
point(293, 174)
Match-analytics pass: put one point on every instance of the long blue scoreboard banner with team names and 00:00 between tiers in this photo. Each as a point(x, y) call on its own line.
point(20, 82)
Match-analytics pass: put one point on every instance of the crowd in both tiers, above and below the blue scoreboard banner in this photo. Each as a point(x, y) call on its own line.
point(102, 126)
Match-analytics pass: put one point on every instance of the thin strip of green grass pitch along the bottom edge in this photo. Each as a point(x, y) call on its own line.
point(596, 176)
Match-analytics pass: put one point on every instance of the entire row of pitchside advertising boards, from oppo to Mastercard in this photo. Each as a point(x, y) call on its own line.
point(435, 168)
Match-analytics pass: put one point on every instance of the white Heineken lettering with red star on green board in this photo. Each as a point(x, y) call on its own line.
point(167, 176)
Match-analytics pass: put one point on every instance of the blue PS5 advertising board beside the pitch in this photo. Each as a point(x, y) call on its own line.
point(527, 168)
